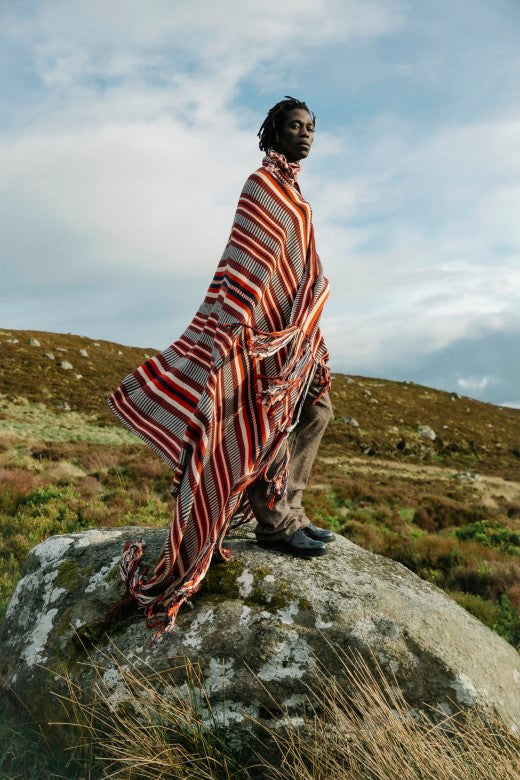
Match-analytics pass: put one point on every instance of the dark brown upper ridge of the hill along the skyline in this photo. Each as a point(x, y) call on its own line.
point(374, 418)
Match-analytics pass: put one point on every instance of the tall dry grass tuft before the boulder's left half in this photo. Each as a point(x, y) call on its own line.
point(145, 728)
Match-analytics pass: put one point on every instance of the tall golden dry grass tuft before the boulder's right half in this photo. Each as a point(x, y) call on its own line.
point(367, 731)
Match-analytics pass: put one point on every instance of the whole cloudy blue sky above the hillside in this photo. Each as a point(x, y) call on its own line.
point(128, 127)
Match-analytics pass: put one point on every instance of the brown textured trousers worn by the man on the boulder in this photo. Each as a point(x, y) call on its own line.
point(288, 514)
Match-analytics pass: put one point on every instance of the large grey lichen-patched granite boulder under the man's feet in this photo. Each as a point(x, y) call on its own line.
point(257, 628)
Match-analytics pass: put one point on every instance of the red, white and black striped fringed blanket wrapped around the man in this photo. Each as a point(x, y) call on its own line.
point(219, 401)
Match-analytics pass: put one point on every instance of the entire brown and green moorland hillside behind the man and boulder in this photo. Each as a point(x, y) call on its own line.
point(423, 476)
